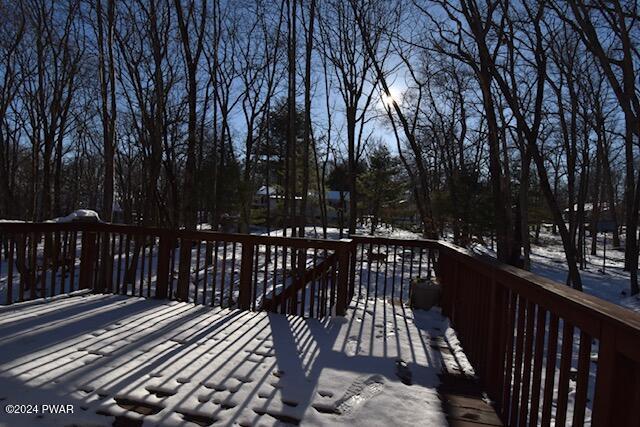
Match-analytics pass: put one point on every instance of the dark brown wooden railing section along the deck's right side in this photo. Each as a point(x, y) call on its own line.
point(546, 353)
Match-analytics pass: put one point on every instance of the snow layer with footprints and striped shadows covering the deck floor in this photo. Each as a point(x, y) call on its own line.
point(173, 363)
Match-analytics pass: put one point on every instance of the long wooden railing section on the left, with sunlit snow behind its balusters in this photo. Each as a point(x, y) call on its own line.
point(203, 267)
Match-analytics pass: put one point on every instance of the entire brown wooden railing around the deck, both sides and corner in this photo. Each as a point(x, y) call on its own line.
point(544, 352)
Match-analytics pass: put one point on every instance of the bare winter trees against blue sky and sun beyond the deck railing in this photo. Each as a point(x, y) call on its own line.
point(482, 119)
